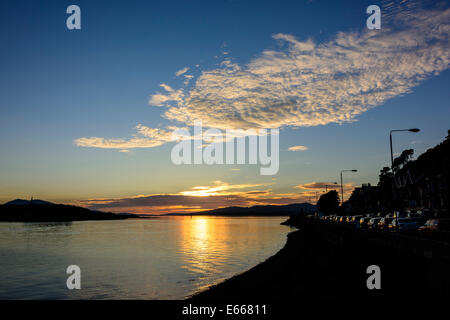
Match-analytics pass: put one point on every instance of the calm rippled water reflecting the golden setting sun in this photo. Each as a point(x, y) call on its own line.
point(163, 258)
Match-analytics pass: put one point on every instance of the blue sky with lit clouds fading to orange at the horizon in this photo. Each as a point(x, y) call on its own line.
point(86, 116)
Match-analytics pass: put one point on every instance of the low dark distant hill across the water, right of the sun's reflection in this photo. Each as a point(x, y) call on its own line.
point(268, 210)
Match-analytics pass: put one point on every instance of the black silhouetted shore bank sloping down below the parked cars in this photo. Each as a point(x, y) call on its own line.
point(327, 262)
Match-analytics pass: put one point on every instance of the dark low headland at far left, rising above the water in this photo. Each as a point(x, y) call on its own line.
point(20, 210)
